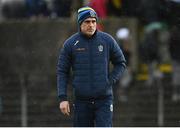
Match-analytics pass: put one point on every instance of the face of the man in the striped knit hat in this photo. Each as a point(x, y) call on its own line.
point(88, 26)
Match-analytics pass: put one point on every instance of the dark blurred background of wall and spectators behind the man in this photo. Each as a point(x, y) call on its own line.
point(32, 33)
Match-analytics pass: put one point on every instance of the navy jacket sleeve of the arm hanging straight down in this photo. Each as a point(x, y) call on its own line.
point(63, 71)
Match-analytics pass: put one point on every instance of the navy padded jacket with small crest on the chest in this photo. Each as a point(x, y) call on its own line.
point(89, 59)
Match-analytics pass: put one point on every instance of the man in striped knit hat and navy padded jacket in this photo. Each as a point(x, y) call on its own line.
point(88, 53)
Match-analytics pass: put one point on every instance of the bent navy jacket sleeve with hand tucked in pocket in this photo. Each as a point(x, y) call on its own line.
point(118, 60)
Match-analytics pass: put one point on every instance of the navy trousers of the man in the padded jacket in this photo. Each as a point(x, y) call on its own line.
point(92, 113)
